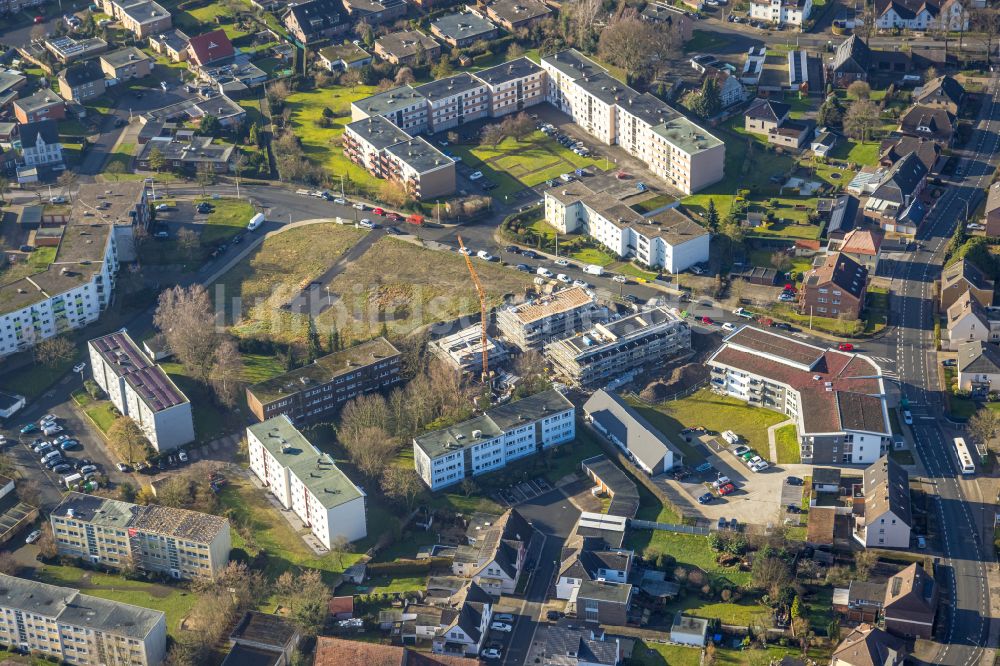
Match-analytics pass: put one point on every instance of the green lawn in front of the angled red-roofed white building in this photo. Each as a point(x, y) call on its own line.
point(714, 412)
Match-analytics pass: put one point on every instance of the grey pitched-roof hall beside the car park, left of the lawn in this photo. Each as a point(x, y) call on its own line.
point(644, 445)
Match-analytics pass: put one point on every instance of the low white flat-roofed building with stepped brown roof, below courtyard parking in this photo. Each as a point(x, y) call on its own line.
point(666, 239)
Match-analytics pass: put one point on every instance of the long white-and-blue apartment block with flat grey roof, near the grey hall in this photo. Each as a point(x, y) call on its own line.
point(490, 441)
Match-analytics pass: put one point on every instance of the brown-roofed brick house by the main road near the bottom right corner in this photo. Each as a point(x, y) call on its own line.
point(911, 599)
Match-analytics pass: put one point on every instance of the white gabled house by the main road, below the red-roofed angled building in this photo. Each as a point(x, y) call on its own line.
point(885, 516)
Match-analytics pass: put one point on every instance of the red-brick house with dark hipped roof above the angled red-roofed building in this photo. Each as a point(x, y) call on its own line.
point(836, 289)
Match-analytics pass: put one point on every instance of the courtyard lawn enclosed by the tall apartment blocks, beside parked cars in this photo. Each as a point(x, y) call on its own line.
point(514, 165)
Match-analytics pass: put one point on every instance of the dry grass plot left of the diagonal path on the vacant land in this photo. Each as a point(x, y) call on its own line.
point(275, 272)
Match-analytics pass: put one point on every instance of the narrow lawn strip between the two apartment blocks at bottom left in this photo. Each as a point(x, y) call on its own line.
point(175, 602)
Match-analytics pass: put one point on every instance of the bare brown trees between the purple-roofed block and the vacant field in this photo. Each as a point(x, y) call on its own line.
point(186, 319)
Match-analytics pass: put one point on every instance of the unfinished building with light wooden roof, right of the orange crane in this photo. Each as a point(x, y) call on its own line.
point(530, 325)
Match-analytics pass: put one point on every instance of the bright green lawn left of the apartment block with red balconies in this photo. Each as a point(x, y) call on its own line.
point(321, 144)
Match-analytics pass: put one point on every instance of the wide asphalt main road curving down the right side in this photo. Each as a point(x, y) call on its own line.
point(966, 627)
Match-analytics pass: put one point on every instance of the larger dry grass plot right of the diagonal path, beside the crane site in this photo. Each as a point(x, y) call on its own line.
point(422, 287)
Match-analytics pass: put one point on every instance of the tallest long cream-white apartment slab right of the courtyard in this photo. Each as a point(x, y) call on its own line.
point(674, 148)
